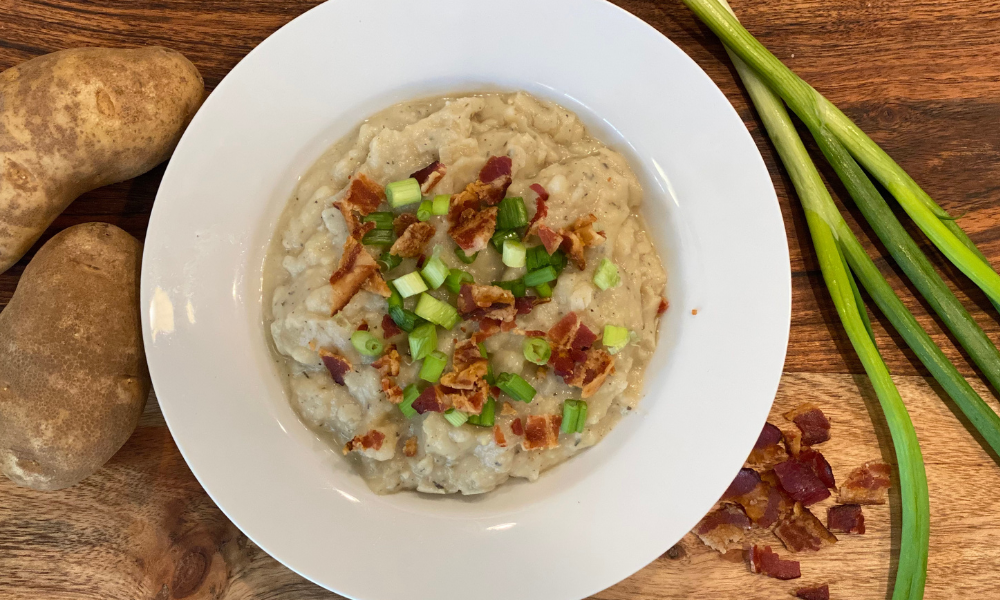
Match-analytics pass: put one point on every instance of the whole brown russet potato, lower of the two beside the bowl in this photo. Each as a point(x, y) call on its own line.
point(73, 376)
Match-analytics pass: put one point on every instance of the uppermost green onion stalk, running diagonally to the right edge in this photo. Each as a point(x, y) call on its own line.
point(818, 113)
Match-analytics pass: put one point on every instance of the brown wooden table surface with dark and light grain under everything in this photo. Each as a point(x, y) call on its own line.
point(922, 78)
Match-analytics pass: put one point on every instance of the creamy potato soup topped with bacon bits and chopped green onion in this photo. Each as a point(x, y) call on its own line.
point(463, 290)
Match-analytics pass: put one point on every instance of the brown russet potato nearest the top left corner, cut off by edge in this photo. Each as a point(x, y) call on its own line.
point(79, 119)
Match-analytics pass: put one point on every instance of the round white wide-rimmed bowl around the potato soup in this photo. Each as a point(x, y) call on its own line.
point(585, 524)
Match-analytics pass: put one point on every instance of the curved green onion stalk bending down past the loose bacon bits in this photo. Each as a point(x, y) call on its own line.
point(832, 247)
